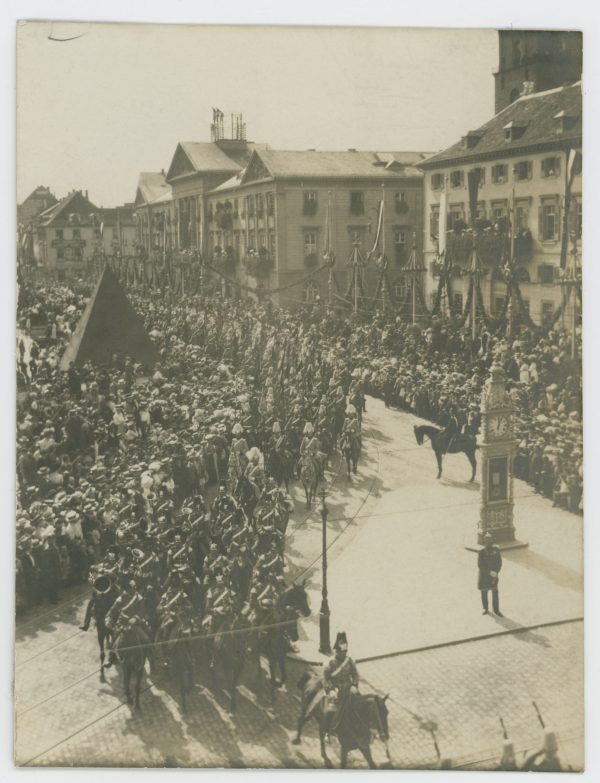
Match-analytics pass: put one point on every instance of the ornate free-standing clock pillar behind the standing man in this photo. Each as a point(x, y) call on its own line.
point(497, 449)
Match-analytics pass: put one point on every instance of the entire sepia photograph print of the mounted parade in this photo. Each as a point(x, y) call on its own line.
point(299, 441)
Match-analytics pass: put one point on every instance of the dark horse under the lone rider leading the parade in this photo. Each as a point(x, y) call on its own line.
point(363, 714)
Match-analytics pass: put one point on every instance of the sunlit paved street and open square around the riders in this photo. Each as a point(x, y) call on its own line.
point(403, 587)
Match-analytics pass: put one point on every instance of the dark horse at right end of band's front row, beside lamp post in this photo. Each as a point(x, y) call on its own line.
point(273, 642)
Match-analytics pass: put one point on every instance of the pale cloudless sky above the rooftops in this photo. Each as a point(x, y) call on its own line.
point(95, 111)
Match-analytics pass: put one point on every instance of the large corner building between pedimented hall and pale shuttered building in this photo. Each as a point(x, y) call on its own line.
point(271, 223)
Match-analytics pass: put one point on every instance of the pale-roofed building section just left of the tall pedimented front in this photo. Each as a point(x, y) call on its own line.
point(154, 213)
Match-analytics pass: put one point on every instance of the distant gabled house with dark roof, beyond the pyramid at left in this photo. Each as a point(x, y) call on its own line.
point(68, 235)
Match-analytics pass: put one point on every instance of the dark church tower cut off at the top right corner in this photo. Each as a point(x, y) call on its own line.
point(534, 61)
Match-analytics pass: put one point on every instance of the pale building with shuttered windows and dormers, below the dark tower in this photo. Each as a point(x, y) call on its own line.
point(522, 154)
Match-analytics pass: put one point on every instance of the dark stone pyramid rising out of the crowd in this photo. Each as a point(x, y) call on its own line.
point(109, 326)
